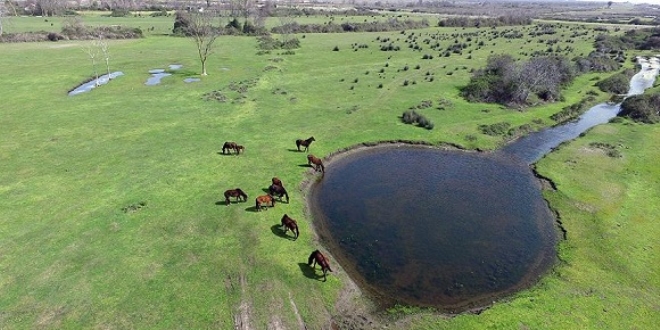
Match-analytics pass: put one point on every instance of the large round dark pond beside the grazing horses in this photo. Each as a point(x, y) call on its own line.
point(427, 227)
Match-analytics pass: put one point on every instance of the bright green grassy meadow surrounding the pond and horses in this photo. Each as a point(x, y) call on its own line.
point(111, 206)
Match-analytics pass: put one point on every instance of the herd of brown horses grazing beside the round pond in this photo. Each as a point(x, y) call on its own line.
point(276, 189)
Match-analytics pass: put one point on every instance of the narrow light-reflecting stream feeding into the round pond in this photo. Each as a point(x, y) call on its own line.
point(534, 146)
